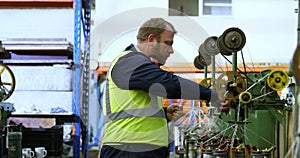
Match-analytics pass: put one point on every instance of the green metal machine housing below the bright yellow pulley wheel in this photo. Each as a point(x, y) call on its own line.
point(261, 129)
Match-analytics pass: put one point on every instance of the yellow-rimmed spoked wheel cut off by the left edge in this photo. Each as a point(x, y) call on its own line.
point(7, 82)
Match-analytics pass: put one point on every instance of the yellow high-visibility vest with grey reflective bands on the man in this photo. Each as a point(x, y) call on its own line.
point(133, 116)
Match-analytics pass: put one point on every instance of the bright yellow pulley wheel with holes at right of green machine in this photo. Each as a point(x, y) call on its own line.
point(277, 80)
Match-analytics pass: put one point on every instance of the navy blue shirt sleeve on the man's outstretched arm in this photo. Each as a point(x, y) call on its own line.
point(136, 71)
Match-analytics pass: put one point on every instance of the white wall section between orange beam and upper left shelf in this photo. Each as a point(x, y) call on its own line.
point(37, 23)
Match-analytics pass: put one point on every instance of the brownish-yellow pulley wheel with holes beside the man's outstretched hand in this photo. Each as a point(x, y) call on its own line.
point(230, 84)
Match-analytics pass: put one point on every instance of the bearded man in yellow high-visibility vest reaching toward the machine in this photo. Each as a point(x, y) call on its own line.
point(136, 124)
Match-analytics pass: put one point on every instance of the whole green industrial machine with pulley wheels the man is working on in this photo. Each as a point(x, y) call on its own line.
point(251, 127)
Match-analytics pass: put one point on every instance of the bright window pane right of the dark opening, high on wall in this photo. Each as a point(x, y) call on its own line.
point(217, 7)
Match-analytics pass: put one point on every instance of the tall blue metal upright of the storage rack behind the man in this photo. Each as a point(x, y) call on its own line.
point(81, 60)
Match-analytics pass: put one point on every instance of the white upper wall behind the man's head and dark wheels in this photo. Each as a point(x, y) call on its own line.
point(271, 33)
